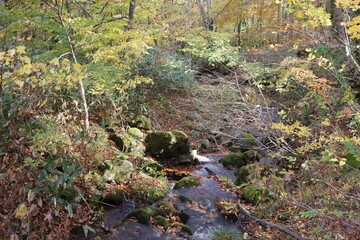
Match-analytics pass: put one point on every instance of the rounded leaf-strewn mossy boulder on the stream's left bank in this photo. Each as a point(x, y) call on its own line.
point(148, 189)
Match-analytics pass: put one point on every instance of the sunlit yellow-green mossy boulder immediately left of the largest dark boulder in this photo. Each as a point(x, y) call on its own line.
point(128, 143)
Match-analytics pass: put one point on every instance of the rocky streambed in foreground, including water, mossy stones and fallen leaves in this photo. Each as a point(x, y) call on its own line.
point(193, 209)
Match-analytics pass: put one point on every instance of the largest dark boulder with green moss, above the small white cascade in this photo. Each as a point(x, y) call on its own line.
point(167, 144)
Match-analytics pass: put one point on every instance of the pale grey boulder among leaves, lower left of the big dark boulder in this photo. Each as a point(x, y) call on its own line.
point(118, 173)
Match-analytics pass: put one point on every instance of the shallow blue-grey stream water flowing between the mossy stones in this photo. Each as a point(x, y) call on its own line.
point(203, 211)
